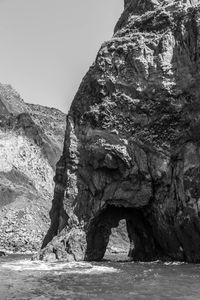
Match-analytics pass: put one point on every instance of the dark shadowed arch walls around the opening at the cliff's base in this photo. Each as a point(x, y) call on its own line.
point(142, 243)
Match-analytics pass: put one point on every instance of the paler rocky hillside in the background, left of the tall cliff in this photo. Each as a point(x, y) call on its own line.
point(31, 138)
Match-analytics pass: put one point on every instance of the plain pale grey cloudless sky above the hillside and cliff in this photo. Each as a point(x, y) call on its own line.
point(47, 46)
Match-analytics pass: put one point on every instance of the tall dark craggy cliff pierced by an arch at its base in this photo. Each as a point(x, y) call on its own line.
point(132, 143)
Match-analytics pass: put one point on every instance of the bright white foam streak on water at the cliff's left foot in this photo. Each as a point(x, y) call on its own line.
point(58, 267)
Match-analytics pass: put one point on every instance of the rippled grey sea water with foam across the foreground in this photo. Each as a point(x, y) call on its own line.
point(22, 279)
